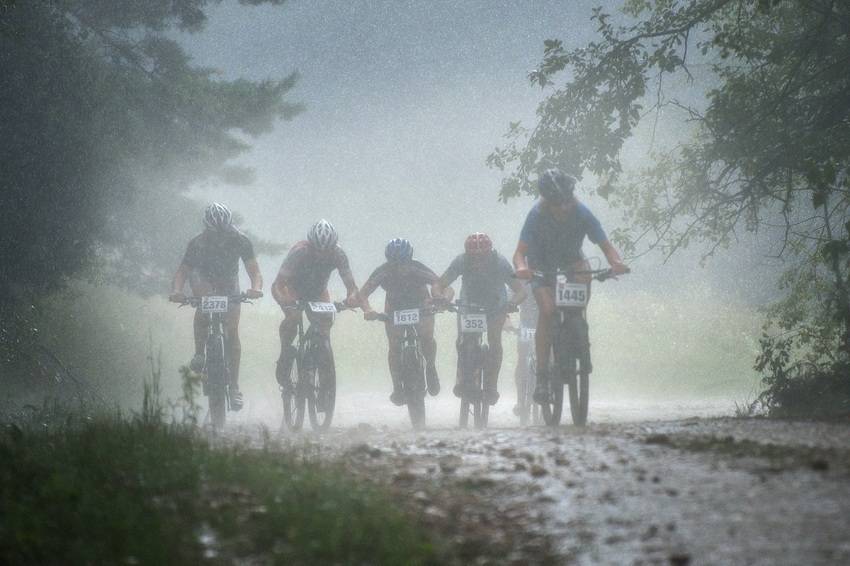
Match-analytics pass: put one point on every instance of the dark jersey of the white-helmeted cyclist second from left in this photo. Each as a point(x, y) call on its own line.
point(307, 271)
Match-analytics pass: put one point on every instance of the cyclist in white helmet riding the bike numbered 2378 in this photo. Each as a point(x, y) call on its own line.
point(211, 265)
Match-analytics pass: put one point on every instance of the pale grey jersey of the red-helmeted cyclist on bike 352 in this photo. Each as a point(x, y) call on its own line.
point(483, 284)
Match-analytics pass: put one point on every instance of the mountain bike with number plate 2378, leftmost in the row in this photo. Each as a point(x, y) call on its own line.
point(216, 372)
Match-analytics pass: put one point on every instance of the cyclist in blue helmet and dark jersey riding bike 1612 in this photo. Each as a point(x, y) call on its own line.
point(406, 283)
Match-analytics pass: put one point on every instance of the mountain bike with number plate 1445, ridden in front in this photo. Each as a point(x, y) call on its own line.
point(570, 345)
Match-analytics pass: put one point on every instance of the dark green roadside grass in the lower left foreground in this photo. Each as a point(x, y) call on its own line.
point(107, 490)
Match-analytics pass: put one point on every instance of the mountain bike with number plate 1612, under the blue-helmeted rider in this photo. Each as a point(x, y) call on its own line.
point(411, 359)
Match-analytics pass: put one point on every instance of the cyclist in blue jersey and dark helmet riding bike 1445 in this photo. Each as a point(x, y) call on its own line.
point(551, 239)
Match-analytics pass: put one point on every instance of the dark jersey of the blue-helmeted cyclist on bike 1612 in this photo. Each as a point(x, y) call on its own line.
point(406, 284)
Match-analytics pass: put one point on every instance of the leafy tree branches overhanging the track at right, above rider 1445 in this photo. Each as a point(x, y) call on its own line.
point(768, 150)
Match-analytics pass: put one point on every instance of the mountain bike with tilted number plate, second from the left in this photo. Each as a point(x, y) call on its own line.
point(310, 386)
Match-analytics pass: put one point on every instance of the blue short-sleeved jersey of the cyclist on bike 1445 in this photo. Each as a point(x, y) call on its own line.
point(556, 243)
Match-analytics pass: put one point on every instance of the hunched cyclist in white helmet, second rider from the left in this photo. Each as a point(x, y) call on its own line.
point(304, 275)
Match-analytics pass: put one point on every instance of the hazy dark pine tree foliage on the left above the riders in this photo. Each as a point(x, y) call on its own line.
point(106, 124)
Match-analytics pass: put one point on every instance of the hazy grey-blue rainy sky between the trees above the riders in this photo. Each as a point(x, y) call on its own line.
point(405, 99)
